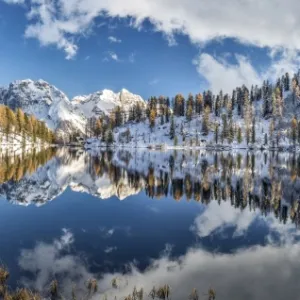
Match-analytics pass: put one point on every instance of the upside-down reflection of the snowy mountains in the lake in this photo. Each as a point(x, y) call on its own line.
point(64, 170)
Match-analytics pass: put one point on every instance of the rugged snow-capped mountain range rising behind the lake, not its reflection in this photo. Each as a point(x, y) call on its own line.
point(49, 104)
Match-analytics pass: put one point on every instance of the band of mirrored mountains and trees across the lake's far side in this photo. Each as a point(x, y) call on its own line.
point(265, 181)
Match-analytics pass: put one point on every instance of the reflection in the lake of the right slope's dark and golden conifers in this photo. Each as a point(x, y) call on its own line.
point(215, 183)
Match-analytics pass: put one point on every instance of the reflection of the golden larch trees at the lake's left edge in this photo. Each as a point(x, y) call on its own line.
point(16, 167)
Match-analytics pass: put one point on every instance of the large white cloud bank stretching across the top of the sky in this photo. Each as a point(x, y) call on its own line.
point(271, 23)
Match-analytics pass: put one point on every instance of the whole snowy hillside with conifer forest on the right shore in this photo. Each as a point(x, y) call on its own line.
point(264, 116)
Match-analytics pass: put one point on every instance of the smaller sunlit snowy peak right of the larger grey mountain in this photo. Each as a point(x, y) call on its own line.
point(103, 102)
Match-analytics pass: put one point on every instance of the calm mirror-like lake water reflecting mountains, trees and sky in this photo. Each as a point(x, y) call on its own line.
point(221, 220)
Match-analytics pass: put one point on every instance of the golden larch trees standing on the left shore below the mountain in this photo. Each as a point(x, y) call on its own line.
point(27, 126)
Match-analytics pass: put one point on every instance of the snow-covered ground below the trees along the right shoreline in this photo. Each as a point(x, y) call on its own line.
point(189, 136)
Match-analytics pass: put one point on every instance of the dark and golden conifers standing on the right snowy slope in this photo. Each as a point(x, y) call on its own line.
point(218, 113)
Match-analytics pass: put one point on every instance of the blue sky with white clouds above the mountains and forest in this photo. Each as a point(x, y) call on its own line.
point(146, 52)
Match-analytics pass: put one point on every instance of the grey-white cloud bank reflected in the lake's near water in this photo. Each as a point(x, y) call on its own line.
point(229, 274)
